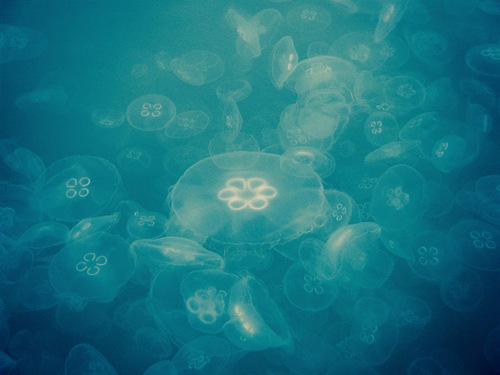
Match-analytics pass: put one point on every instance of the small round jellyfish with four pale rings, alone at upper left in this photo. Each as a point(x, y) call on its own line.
point(151, 112)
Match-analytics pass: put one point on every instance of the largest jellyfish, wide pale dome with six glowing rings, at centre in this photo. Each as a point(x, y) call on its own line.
point(245, 198)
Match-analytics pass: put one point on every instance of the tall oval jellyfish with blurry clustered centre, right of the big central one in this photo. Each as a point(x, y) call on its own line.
point(398, 198)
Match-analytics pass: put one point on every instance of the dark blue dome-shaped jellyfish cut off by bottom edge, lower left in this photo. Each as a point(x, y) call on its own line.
point(84, 359)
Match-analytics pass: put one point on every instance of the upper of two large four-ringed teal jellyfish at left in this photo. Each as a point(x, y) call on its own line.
point(79, 187)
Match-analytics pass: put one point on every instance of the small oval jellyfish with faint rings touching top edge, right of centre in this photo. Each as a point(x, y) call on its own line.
point(308, 18)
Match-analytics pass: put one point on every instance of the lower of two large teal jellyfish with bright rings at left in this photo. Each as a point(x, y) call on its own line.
point(93, 268)
